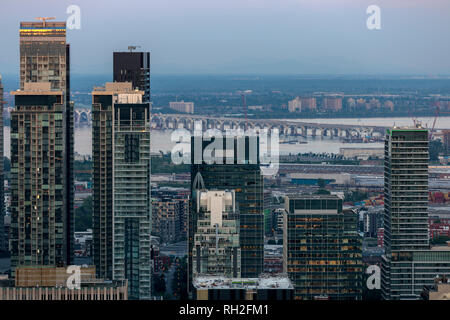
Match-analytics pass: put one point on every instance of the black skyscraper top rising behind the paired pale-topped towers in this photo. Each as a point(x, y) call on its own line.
point(133, 67)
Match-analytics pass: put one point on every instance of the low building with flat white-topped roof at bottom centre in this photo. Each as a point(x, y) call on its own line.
point(265, 287)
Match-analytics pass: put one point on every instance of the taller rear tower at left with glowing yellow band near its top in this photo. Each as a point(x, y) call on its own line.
point(45, 57)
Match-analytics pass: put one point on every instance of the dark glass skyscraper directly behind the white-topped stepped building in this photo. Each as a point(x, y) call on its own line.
point(244, 177)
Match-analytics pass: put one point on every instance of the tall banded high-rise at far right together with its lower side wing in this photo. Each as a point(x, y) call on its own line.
point(409, 262)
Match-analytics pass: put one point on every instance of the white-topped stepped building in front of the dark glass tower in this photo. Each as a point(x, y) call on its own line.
point(216, 249)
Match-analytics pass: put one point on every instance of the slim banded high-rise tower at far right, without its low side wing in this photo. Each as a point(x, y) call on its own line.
point(405, 204)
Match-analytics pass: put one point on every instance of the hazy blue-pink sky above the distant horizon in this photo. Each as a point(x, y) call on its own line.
point(246, 36)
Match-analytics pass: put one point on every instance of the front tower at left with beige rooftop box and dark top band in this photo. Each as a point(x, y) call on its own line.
point(39, 219)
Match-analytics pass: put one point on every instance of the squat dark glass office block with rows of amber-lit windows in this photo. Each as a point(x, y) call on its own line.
point(322, 248)
